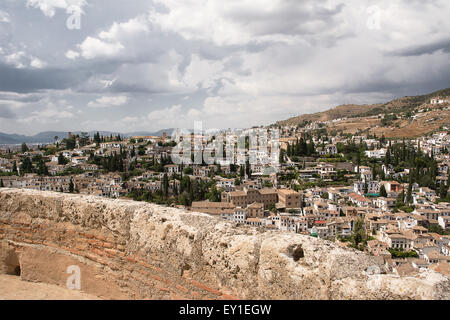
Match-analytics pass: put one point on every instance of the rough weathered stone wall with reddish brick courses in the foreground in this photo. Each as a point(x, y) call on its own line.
point(133, 250)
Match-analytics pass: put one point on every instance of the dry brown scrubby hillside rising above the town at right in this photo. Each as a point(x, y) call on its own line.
point(368, 117)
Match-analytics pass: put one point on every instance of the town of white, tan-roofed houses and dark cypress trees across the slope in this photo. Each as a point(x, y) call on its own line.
point(387, 197)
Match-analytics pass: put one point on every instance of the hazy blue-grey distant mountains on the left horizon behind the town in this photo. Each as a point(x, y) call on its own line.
point(49, 136)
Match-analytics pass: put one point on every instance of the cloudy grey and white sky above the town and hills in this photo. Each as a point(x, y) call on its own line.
point(135, 65)
